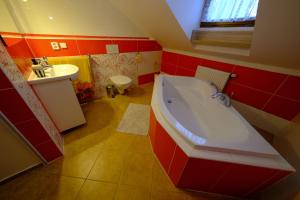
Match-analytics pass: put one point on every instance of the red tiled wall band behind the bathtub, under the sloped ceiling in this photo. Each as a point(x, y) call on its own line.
point(271, 92)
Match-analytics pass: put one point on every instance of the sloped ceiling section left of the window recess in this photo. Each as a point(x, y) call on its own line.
point(156, 19)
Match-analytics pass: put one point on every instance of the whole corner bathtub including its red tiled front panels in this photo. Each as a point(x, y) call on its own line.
point(191, 133)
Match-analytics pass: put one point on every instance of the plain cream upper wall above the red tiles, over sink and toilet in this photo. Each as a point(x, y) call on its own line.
point(76, 17)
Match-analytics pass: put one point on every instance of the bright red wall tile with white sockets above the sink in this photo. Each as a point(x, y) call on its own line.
point(42, 47)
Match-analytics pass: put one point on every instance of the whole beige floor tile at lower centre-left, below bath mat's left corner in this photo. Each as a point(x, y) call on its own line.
point(108, 166)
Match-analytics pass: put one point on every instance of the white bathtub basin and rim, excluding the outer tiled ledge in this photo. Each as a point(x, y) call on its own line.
point(204, 122)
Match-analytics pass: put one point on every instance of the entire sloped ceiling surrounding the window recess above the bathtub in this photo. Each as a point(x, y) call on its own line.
point(275, 40)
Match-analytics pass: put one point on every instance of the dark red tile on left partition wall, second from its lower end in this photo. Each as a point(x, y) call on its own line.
point(33, 131)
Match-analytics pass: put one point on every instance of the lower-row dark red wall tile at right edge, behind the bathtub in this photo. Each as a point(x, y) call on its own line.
point(282, 107)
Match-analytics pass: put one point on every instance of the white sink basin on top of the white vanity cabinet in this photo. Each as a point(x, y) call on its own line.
point(55, 73)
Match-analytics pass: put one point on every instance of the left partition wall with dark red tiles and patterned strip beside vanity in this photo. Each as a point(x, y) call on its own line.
point(23, 110)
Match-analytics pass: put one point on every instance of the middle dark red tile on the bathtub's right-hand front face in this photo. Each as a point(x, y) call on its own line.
point(242, 179)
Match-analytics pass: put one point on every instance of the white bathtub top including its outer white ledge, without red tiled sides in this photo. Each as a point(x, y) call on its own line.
point(203, 127)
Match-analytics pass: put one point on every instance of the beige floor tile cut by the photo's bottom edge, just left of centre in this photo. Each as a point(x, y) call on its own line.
point(126, 192)
